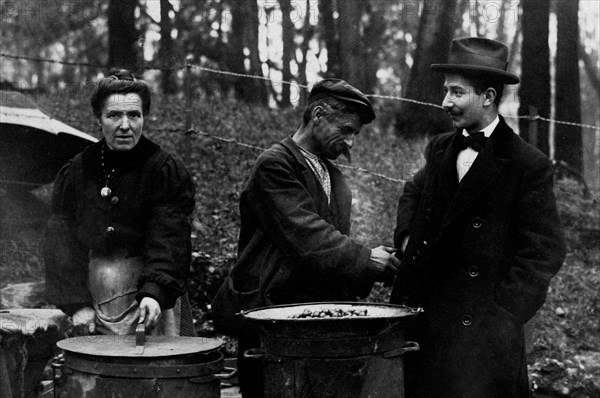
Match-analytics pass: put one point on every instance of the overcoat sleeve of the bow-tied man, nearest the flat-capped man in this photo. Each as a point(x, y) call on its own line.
point(409, 202)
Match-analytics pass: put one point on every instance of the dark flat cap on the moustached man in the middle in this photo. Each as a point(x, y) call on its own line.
point(341, 90)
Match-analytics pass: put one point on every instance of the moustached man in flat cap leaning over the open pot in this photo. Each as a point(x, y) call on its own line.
point(295, 209)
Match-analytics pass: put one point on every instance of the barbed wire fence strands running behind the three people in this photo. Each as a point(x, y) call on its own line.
point(189, 129)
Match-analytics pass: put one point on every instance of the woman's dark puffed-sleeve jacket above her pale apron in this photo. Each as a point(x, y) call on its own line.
point(146, 215)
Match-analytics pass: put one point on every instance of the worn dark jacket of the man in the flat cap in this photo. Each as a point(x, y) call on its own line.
point(293, 245)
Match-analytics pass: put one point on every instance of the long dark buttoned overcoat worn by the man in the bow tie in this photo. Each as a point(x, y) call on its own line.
point(479, 260)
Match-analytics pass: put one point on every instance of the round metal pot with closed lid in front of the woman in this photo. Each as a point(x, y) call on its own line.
point(163, 366)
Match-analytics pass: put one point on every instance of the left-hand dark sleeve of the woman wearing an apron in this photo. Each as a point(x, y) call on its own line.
point(65, 259)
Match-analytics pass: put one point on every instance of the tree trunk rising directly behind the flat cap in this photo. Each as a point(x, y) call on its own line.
point(352, 47)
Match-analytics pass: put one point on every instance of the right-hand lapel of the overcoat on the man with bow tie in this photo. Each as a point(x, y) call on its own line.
point(481, 176)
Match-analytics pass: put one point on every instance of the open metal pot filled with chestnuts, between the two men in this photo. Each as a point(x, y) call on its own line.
point(355, 356)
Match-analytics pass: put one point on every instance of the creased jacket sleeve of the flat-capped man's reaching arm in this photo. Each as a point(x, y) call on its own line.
point(287, 214)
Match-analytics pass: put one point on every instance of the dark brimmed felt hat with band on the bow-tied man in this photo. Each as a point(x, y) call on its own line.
point(480, 57)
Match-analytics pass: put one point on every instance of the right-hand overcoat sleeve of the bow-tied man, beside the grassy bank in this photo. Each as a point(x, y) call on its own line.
point(540, 244)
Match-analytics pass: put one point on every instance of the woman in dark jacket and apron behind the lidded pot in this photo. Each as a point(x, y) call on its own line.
point(118, 242)
